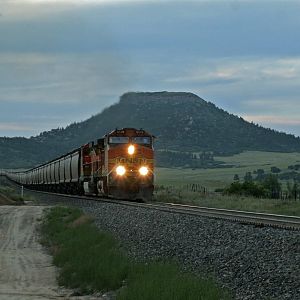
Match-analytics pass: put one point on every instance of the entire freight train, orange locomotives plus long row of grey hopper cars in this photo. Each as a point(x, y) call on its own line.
point(119, 165)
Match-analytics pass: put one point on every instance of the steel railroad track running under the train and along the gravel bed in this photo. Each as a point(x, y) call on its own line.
point(245, 217)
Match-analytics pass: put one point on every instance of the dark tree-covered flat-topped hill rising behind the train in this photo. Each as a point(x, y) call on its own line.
point(181, 122)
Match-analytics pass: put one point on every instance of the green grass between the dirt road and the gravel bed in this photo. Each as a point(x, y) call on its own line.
point(91, 260)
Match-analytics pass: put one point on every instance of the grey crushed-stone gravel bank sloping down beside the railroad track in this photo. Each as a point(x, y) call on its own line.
point(253, 262)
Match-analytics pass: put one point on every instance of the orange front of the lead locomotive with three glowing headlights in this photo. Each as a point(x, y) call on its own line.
point(130, 167)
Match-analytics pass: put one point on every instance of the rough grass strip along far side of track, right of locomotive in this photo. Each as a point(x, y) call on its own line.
point(217, 200)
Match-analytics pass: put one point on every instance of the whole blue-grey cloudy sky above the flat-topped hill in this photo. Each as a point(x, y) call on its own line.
point(63, 61)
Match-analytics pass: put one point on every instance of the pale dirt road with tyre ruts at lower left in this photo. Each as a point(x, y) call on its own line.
point(26, 271)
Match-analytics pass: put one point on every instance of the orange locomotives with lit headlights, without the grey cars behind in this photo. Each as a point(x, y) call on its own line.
point(119, 165)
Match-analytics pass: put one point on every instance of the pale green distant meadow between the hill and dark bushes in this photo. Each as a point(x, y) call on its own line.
point(220, 177)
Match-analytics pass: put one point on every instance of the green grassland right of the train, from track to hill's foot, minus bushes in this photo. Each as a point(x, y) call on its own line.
point(177, 179)
